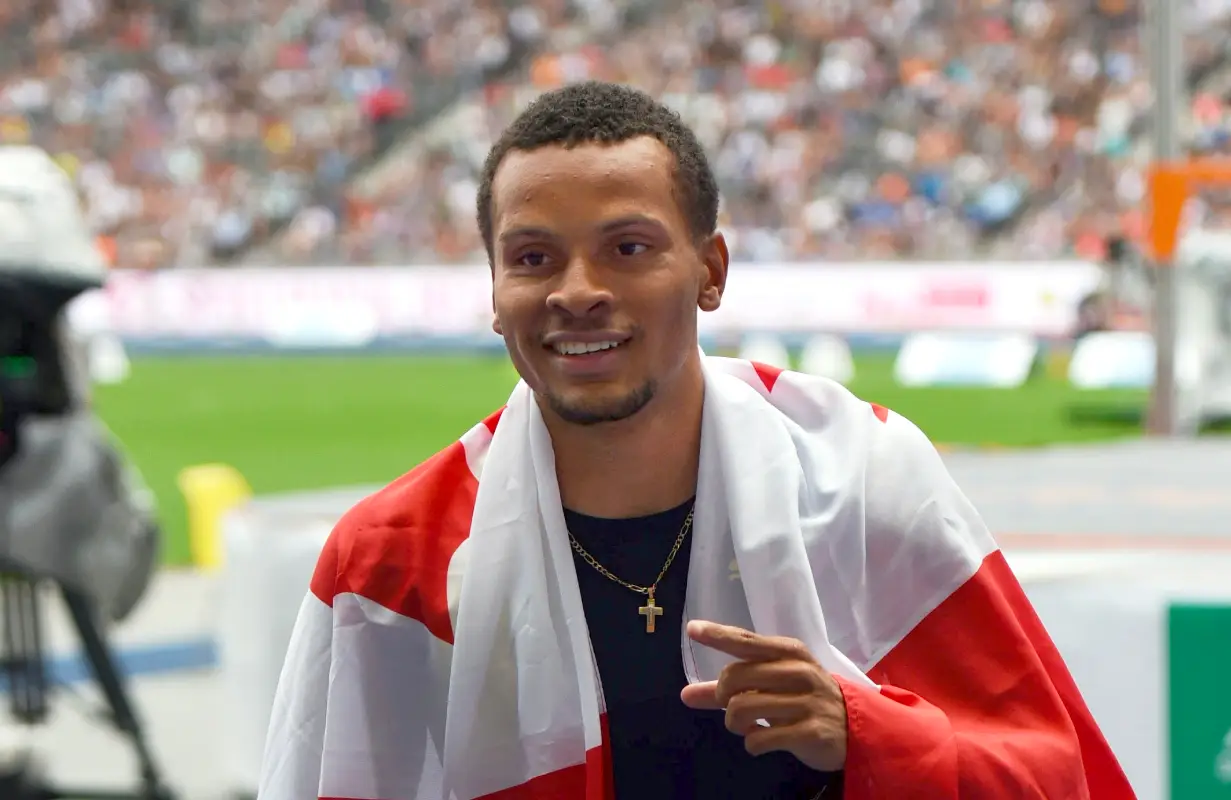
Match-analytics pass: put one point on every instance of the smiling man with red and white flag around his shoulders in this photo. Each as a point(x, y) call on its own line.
point(656, 574)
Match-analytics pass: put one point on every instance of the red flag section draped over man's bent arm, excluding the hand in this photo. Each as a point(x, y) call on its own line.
point(976, 702)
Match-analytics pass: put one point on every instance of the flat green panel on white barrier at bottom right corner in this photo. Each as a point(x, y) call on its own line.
point(1200, 678)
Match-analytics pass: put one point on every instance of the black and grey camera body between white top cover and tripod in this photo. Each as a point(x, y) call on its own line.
point(72, 509)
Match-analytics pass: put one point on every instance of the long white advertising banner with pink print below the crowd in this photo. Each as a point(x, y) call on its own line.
point(356, 306)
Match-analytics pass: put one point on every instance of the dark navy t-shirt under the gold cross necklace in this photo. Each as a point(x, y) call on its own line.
point(660, 748)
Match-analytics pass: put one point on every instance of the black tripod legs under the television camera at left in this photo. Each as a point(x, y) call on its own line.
point(24, 665)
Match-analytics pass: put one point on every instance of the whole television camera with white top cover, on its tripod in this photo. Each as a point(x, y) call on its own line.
point(76, 520)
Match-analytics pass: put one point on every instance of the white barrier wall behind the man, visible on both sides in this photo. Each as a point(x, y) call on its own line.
point(1107, 614)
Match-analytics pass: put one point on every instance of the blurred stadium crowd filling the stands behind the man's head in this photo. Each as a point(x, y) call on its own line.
point(353, 131)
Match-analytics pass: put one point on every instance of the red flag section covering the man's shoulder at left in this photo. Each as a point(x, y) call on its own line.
point(395, 547)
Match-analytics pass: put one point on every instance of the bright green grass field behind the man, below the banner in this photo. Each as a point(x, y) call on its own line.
point(307, 423)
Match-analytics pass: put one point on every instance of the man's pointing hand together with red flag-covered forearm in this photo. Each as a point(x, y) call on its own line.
point(1001, 717)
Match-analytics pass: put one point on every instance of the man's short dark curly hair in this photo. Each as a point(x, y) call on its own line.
point(596, 113)
